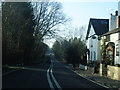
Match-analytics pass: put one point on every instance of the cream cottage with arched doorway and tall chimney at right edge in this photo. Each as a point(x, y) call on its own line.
point(112, 40)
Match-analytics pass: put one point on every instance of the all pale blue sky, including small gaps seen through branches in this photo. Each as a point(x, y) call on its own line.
point(81, 11)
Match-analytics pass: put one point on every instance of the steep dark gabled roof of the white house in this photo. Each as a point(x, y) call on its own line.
point(100, 26)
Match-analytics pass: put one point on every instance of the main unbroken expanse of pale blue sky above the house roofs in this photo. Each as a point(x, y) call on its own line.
point(81, 12)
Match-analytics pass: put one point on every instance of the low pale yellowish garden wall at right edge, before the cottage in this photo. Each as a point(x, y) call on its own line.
point(113, 72)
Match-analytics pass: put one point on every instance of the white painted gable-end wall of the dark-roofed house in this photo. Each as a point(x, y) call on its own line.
point(94, 55)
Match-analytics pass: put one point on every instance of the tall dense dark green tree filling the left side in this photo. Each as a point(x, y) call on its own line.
point(18, 27)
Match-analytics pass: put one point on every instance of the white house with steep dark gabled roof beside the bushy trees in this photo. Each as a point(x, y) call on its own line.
point(96, 28)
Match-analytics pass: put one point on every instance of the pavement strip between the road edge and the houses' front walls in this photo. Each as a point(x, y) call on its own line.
point(102, 80)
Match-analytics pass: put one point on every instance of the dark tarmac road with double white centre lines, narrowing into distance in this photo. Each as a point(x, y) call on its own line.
point(51, 74)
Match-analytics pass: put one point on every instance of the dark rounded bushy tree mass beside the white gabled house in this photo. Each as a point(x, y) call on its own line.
point(72, 51)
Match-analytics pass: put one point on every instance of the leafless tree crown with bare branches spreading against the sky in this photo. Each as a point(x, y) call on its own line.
point(48, 16)
